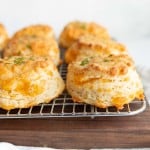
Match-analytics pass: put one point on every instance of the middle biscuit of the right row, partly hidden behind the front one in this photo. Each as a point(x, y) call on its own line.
point(88, 45)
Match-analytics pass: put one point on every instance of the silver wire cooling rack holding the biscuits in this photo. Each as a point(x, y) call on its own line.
point(63, 106)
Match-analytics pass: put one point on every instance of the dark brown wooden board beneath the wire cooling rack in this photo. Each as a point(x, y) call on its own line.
point(102, 132)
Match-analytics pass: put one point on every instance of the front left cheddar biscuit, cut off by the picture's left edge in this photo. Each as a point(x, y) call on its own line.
point(28, 81)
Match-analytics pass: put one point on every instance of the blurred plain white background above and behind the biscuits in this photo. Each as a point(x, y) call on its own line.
point(127, 20)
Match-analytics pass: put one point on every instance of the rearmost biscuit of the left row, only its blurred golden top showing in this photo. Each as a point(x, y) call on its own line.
point(36, 30)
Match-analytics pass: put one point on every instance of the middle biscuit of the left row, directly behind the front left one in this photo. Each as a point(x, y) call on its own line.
point(30, 45)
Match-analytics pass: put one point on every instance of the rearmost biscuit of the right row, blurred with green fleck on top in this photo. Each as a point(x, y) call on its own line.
point(74, 30)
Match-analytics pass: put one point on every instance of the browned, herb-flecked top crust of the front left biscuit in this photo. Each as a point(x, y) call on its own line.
point(24, 63)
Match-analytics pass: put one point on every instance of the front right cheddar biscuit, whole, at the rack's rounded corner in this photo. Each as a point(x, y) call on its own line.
point(104, 81)
